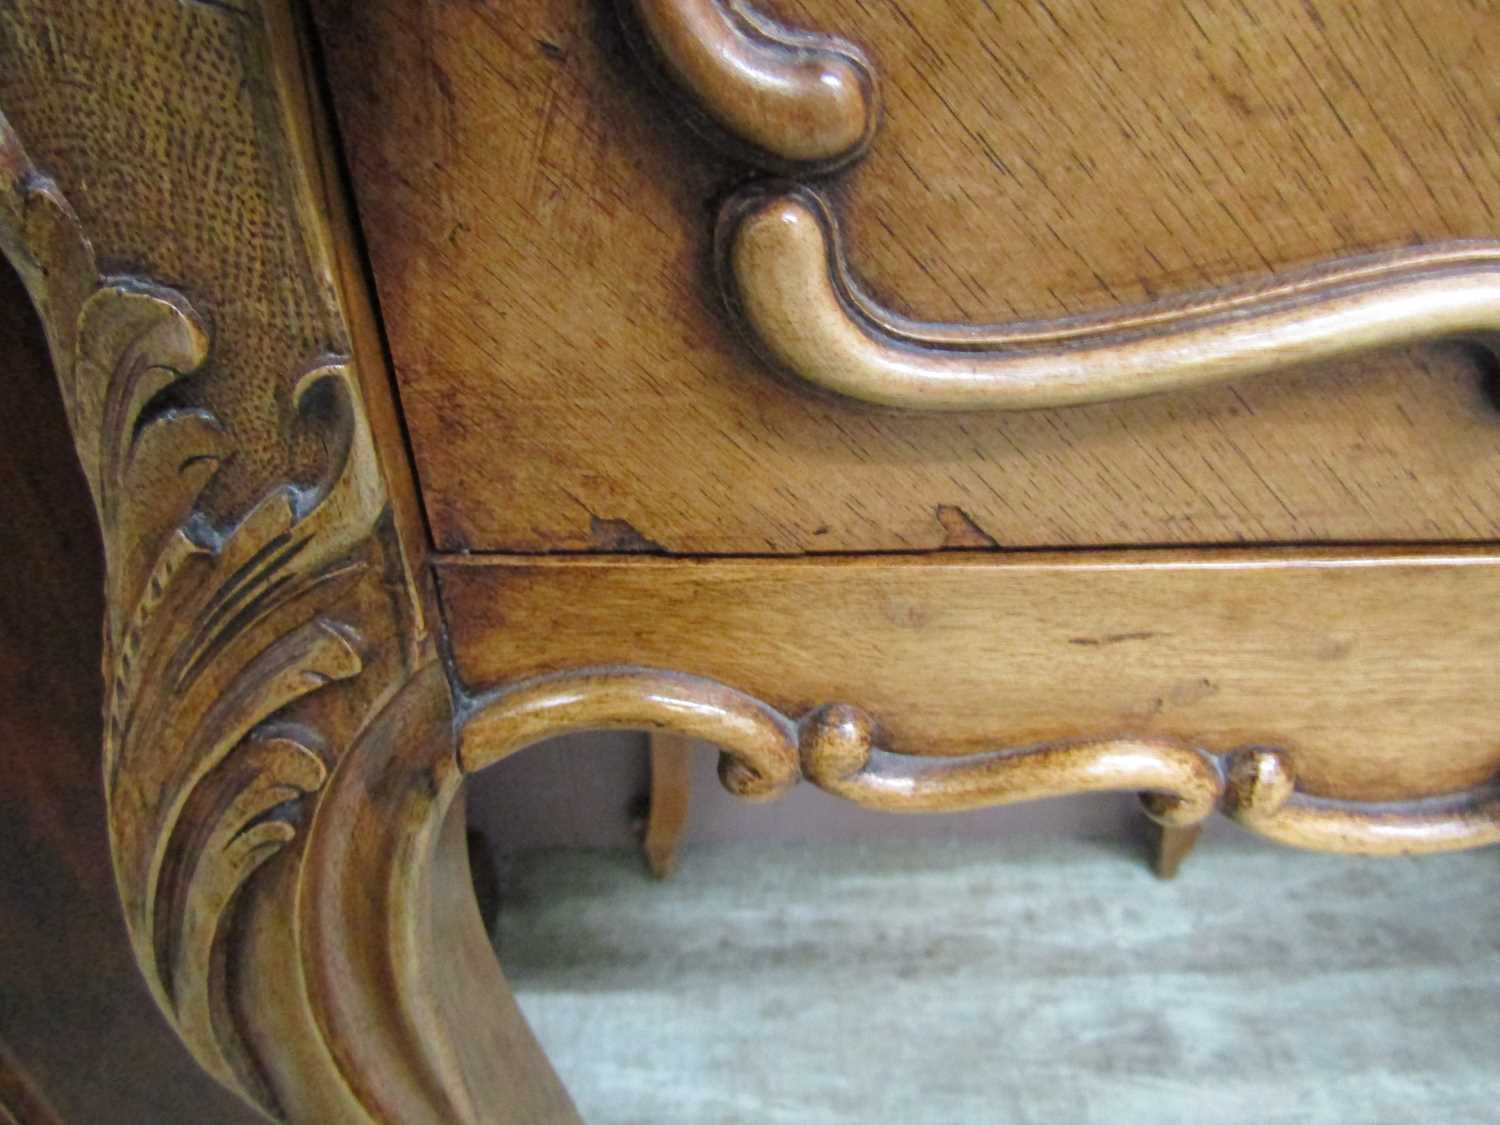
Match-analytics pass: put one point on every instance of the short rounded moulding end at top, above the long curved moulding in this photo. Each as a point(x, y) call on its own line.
point(799, 101)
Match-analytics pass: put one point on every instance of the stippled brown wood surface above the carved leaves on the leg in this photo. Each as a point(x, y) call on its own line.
point(208, 199)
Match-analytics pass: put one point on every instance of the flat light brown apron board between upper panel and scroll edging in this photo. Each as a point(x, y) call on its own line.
point(1358, 668)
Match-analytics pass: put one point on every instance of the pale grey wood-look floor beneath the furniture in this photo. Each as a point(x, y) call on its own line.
point(1012, 982)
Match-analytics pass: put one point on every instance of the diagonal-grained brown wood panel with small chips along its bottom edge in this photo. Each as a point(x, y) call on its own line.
point(541, 221)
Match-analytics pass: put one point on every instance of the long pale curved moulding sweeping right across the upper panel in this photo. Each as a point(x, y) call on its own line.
point(785, 277)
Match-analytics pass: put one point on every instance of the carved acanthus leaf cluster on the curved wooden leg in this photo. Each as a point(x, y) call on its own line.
point(215, 632)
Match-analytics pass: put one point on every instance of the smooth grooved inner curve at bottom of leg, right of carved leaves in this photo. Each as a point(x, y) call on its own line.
point(401, 976)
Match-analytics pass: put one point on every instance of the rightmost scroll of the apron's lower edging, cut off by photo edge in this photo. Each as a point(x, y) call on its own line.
point(1261, 796)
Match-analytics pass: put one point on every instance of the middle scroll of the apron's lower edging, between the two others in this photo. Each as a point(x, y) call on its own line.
point(839, 755)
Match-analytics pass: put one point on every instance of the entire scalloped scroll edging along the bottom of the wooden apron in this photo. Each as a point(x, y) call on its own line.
point(836, 748)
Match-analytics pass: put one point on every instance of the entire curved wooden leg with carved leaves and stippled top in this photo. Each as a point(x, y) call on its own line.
point(278, 728)
